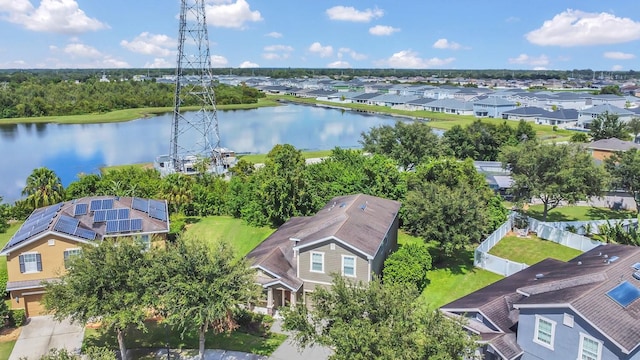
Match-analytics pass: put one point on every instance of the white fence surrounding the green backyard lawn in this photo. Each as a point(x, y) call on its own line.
point(552, 231)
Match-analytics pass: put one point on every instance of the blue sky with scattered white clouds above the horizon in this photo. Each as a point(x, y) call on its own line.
point(419, 34)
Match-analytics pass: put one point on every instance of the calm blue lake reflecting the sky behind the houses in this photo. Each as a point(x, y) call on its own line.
point(73, 149)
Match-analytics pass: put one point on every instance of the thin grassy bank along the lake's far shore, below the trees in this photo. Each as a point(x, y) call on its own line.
point(125, 115)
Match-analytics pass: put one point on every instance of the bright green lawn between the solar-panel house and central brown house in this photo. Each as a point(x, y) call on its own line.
point(243, 237)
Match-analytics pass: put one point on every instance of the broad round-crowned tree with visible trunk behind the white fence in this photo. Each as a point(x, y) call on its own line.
point(553, 173)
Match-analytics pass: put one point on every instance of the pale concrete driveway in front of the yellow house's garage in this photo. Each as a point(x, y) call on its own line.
point(43, 333)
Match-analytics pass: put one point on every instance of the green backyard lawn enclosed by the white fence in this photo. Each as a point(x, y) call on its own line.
point(532, 250)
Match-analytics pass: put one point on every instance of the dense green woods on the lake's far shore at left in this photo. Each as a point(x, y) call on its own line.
point(32, 96)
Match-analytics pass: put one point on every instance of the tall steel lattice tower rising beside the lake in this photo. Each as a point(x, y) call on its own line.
point(195, 136)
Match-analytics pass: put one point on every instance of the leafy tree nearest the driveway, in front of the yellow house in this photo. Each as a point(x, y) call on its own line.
point(105, 283)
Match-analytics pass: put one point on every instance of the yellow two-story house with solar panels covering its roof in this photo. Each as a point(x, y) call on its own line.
point(39, 251)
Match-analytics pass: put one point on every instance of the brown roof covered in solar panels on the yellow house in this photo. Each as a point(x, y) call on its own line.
point(78, 220)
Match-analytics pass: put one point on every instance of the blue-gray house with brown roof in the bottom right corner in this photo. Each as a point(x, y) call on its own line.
point(586, 308)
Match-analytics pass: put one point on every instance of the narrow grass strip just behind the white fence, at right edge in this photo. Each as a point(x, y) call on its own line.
point(575, 213)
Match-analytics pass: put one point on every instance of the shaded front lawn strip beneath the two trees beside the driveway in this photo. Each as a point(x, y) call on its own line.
point(157, 337)
